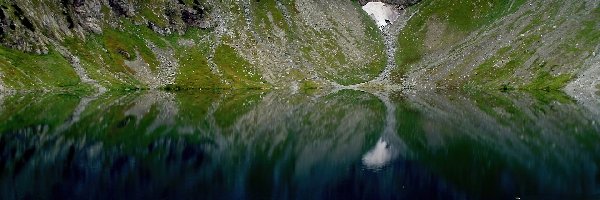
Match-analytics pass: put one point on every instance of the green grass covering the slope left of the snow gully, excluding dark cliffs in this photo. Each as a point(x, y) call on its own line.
point(104, 56)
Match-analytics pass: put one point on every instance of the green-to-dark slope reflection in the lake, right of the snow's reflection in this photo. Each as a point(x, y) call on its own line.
point(513, 134)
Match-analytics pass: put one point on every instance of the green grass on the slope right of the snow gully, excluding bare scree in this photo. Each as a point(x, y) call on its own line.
point(499, 71)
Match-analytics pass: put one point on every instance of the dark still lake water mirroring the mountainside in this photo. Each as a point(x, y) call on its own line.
point(310, 145)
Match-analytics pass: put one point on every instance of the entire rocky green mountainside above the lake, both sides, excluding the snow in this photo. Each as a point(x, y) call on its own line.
point(191, 44)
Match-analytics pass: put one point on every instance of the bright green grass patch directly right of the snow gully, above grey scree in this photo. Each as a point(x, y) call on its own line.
point(461, 17)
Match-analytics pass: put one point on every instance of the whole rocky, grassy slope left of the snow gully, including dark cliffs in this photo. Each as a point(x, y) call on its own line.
point(185, 44)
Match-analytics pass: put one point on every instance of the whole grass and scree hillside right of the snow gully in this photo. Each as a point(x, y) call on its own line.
point(522, 44)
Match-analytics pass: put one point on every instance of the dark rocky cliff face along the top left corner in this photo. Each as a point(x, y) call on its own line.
point(30, 26)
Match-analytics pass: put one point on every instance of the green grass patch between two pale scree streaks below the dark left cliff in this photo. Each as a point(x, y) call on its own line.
point(104, 55)
